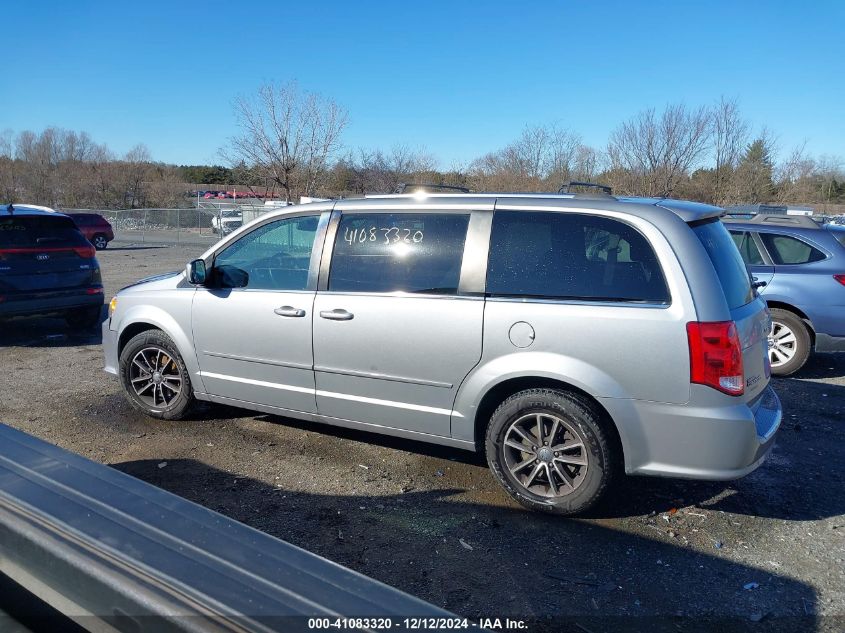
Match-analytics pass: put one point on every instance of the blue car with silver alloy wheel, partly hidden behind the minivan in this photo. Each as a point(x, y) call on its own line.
point(798, 266)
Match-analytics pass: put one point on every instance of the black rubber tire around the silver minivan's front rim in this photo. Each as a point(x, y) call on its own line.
point(181, 403)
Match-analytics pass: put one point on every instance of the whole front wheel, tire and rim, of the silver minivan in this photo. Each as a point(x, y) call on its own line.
point(154, 376)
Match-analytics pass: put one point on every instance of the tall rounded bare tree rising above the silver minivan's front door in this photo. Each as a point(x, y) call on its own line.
point(287, 136)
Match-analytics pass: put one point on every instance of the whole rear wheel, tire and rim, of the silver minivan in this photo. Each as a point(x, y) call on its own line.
point(550, 451)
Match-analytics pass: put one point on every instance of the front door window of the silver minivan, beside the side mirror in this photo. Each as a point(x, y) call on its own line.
point(275, 256)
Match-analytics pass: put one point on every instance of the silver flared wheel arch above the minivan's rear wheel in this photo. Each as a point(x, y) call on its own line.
point(488, 375)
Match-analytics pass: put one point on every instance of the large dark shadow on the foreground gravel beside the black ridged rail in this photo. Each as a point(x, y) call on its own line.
point(481, 561)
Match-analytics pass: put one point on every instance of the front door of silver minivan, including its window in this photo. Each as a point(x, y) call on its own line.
point(253, 343)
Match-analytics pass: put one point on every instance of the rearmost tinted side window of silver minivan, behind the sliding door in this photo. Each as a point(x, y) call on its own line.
point(572, 256)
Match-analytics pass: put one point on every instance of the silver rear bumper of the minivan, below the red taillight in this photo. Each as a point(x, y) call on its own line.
point(713, 442)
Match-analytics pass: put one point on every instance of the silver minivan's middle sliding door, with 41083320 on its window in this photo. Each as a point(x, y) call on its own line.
point(393, 338)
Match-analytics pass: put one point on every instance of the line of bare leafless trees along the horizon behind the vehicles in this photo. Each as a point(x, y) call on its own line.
point(289, 141)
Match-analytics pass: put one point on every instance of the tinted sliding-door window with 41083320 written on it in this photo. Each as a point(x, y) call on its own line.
point(398, 252)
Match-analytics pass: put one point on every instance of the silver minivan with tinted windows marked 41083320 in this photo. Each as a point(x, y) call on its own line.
point(570, 337)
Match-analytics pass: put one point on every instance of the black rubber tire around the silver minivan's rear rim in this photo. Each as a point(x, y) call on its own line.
point(575, 412)
